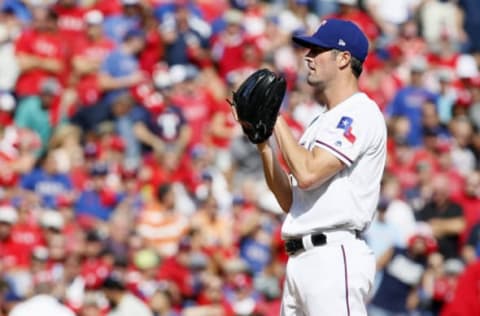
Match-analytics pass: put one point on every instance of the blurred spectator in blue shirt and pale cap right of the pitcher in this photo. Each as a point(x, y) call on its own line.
point(408, 101)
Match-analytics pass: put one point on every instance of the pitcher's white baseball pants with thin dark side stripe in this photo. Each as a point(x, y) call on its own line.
point(329, 280)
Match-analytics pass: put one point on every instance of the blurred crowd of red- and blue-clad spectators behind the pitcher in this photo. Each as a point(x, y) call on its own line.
point(126, 188)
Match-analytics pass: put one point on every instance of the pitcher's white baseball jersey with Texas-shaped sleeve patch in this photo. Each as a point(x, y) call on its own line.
point(355, 132)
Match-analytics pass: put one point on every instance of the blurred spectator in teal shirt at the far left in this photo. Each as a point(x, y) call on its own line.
point(41, 113)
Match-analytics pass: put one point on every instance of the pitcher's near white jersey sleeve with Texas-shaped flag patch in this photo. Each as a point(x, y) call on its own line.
point(342, 137)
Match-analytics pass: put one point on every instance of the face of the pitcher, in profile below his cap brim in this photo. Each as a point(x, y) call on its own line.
point(321, 66)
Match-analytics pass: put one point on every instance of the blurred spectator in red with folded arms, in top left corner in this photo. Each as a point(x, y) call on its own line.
point(40, 53)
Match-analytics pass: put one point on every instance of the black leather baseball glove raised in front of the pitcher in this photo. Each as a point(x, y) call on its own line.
point(257, 102)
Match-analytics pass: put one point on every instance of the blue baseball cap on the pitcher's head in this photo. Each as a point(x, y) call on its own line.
point(337, 34)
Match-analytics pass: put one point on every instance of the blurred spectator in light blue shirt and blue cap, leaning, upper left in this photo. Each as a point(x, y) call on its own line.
point(117, 80)
